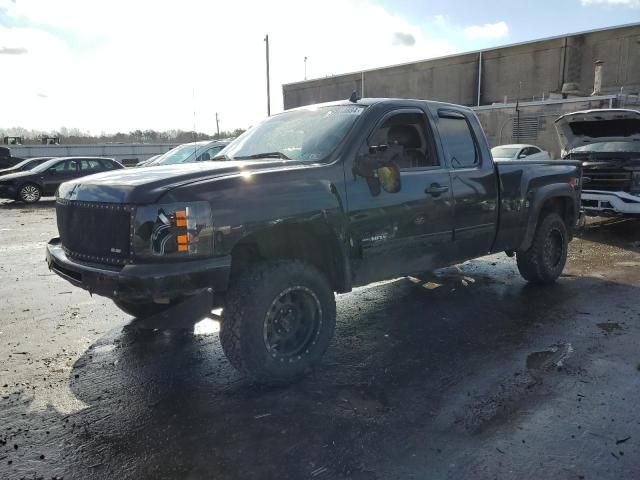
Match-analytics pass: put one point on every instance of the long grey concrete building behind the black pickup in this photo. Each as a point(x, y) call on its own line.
point(548, 77)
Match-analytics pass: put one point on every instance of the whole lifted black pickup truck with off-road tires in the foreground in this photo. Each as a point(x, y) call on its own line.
point(310, 202)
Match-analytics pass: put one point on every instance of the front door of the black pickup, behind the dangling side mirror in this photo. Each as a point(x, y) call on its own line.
point(396, 234)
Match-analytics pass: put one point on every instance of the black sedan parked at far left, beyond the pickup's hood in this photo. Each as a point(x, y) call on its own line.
point(45, 178)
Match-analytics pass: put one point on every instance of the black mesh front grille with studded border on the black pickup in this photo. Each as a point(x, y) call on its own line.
point(95, 232)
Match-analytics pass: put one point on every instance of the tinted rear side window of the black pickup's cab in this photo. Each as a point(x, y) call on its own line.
point(458, 139)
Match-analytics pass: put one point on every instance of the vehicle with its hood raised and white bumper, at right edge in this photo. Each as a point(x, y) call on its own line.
point(607, 142)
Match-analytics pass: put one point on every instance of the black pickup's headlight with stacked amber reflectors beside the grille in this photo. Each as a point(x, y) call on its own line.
point(173, 230)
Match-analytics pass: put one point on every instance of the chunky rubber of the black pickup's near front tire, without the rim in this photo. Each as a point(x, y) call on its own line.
point(250, 299)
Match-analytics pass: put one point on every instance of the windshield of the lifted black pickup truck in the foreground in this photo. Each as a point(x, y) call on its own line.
point(309, 135)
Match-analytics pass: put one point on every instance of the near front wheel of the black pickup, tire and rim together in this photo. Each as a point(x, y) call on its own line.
point(278, 321)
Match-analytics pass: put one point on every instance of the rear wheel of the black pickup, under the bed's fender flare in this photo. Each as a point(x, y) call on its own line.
point(544, 261)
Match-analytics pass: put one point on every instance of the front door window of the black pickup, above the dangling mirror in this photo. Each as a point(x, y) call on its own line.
point(409, 131)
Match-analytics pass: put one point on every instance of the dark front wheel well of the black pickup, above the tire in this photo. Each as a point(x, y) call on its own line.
point(317, 245)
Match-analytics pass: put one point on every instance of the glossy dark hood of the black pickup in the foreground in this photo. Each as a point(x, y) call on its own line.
point(146, 185)
